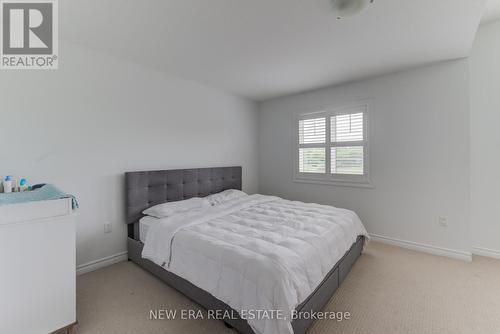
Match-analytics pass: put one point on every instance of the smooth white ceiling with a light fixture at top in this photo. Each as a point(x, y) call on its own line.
point(262, 49)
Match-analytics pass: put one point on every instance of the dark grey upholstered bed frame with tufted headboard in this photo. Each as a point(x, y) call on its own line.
point(145, 189)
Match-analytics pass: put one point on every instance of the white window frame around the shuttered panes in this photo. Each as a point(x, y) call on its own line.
point(348, 180)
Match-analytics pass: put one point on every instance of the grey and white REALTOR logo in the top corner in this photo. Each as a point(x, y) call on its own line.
point(29, 34)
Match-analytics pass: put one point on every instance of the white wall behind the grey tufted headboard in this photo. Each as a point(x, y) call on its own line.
point(82, 126)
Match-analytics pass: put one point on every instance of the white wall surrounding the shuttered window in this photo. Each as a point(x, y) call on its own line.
point(419, 139)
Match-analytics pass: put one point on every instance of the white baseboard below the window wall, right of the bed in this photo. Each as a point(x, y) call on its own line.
point(455, 254)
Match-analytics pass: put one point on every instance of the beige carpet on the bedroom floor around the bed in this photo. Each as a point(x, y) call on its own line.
point(389, 290)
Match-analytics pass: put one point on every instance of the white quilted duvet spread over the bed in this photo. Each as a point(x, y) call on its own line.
point(256, 252)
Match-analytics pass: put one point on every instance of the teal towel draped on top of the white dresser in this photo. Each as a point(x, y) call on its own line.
point(45, 192)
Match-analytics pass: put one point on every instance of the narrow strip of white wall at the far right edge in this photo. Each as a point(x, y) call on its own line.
point(485, 139)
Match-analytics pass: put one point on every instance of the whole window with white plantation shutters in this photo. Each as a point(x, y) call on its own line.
point(333, 146)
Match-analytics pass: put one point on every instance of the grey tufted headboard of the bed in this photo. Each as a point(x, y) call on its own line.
point(145, 189)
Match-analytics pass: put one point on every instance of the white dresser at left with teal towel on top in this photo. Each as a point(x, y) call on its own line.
point(37, 267)
